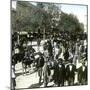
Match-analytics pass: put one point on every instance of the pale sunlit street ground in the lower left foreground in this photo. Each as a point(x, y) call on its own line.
point(29, 80)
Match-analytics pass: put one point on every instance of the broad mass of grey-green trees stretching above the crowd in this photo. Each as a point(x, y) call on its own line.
point(47, 16)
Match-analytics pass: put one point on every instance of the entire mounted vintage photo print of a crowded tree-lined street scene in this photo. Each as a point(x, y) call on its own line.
point(49, 45)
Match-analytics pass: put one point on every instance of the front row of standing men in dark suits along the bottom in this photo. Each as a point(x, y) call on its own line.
point(63, 74)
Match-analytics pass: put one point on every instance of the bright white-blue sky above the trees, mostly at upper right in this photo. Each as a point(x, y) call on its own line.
point(78, 10)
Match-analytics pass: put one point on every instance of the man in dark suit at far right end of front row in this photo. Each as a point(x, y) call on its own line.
point(82, 74)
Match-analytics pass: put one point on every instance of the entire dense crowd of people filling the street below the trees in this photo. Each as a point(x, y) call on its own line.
point(63, 60)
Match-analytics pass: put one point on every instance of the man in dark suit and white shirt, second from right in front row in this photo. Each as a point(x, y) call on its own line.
point(70, 73)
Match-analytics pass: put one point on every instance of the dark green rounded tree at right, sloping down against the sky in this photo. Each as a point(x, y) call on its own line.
point(70, 23)
